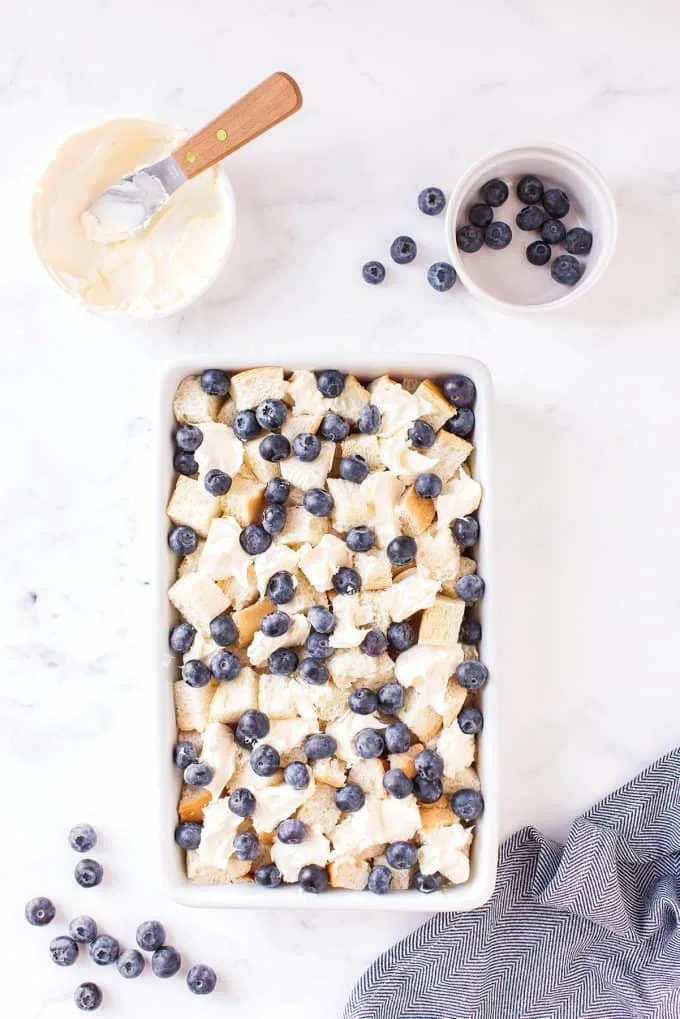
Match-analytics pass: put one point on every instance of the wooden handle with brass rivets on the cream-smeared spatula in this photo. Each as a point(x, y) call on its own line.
point(267, 105)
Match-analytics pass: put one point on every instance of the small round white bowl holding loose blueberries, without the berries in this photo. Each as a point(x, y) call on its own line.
point(505, 279)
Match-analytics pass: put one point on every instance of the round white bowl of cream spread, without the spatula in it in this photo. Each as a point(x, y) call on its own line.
point(152, 274)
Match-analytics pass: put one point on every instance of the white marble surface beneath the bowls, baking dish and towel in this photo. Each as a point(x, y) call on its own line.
point(398, 96)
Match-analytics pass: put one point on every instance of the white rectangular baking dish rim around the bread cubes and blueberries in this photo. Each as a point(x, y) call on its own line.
point(464, 897)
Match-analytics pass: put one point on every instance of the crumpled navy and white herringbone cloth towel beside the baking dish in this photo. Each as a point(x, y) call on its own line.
point(586, 931)
